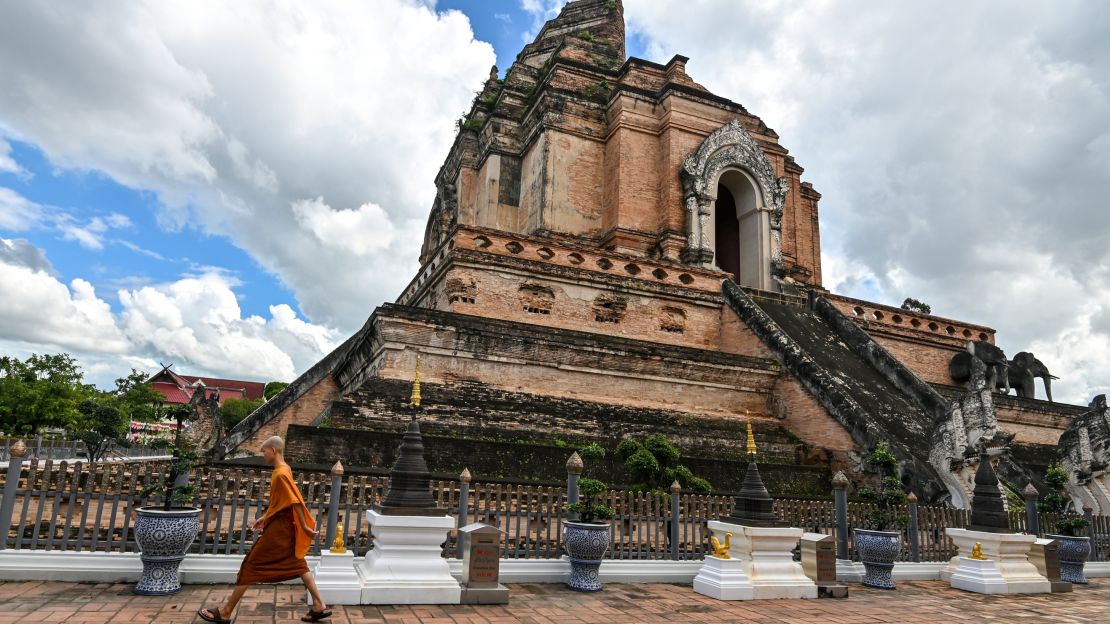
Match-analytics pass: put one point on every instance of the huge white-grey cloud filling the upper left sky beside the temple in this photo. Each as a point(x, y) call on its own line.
point(236, 114)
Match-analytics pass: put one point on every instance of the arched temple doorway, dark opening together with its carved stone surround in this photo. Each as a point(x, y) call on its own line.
point(730, 160)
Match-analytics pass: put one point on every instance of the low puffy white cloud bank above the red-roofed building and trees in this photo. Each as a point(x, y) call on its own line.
point(195, 321)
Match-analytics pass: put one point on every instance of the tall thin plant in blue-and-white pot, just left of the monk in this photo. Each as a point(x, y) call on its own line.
point(165, 532)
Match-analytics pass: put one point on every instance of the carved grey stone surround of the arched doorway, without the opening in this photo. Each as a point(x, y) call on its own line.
point(729, 147)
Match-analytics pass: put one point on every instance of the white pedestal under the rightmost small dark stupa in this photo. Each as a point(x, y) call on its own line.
point(1008, 552)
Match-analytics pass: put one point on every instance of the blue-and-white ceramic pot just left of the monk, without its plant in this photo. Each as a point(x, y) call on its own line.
point(164, 538)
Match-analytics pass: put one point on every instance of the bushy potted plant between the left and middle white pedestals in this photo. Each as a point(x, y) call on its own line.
point(587, 539)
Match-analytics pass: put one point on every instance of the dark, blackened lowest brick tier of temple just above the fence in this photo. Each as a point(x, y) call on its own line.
point(527, 462)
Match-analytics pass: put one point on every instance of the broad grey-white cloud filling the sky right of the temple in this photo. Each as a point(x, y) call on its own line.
point(961, 150)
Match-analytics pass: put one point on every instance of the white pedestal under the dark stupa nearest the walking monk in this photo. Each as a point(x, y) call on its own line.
point(407, 566)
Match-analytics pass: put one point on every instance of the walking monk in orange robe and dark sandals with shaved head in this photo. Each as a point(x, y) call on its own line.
point(279, 553)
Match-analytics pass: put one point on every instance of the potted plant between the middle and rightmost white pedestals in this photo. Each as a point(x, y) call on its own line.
point(879, 548)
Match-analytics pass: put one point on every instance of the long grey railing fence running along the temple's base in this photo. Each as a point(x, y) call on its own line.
point(64, 506)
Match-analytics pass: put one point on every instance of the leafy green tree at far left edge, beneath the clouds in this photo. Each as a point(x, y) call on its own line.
point(42, 392)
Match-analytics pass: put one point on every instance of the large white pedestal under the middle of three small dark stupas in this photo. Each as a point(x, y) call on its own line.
point(766, 555)
